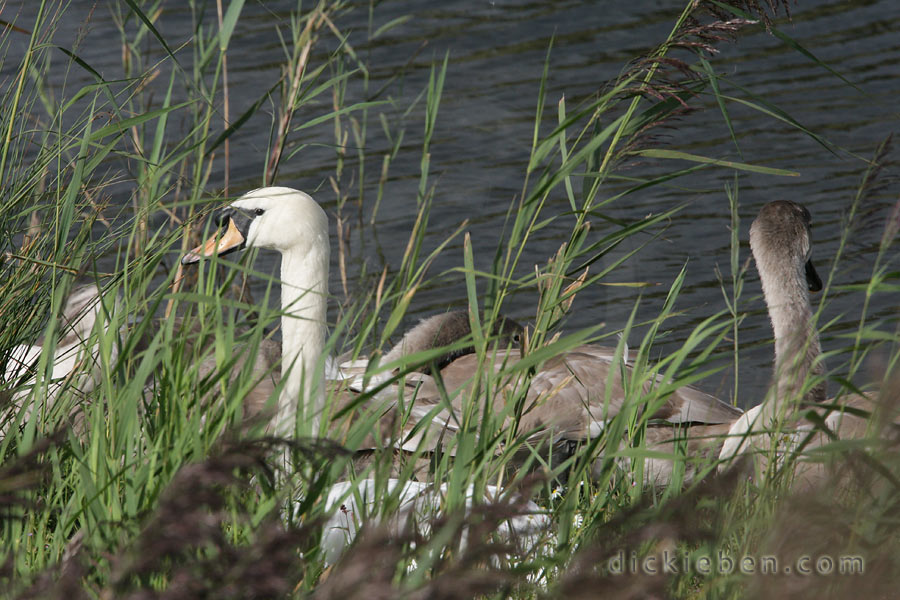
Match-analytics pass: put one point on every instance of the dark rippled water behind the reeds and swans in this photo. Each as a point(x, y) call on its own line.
point(482, 140)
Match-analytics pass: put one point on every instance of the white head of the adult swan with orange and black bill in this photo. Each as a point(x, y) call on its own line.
point(278, 218)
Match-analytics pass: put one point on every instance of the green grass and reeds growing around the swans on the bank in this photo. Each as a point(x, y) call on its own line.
point(150, 483)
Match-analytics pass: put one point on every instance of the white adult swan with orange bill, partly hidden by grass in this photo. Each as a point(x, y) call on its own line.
point(292, 223)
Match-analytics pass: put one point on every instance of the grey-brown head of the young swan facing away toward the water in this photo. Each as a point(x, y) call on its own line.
point(780, 236)
